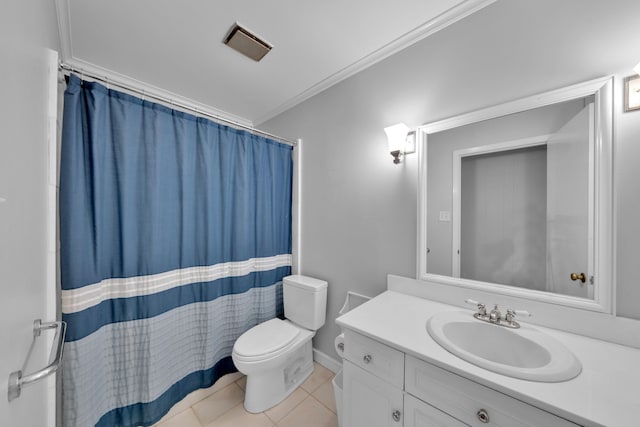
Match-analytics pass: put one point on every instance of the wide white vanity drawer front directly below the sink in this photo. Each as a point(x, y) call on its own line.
point(464, 399)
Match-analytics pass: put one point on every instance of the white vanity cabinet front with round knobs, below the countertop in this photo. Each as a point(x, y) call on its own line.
point(383, 387)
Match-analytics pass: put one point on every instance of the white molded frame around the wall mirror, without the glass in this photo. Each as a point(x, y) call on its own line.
point(604, 293)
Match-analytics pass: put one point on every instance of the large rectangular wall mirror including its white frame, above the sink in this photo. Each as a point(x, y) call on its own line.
point(516, 199)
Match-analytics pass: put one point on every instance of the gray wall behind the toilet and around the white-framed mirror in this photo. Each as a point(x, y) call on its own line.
point(359, 209)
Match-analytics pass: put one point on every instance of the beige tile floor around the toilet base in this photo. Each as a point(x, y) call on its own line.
point(310, 405)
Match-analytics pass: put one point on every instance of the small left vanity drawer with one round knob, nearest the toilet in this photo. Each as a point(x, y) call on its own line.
point(379, 359)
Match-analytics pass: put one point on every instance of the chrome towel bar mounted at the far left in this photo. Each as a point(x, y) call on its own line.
point(17, 380)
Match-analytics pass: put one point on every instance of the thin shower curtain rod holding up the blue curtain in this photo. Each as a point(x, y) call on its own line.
point(68, 69)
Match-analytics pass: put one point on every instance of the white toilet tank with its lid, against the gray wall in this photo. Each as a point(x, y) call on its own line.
point(305, 301)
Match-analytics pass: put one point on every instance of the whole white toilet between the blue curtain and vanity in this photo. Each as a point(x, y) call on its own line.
point(276, 355)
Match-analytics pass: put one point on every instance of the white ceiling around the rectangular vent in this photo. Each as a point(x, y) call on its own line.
point(174, 48)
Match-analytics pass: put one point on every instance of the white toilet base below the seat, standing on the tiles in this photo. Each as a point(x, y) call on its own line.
point(266, 389)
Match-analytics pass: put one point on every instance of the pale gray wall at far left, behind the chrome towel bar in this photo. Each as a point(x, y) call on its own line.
point(26, 29)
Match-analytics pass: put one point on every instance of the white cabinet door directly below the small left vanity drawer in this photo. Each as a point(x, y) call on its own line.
point(369, 401)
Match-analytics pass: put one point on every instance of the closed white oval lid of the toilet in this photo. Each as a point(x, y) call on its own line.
point(265, 338)
